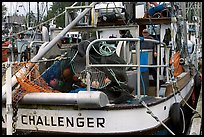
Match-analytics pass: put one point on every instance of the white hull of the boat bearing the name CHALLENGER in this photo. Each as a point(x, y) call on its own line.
point(111, 119)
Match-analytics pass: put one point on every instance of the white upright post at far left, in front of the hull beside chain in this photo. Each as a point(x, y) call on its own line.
point(9, 110)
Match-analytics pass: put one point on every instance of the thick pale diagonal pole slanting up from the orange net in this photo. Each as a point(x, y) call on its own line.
point(45, 49)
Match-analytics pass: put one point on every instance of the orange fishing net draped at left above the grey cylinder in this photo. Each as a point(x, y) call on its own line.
point(30, 80)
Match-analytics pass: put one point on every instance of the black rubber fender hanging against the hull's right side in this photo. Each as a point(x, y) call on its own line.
point(177, 118)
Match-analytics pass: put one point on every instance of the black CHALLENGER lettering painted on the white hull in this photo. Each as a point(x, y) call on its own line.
point(89, 122)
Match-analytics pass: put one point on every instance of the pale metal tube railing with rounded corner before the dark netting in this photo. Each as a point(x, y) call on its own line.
point(137, 65)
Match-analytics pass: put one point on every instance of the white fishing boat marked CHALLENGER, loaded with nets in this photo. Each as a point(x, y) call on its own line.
point(102, 85)
